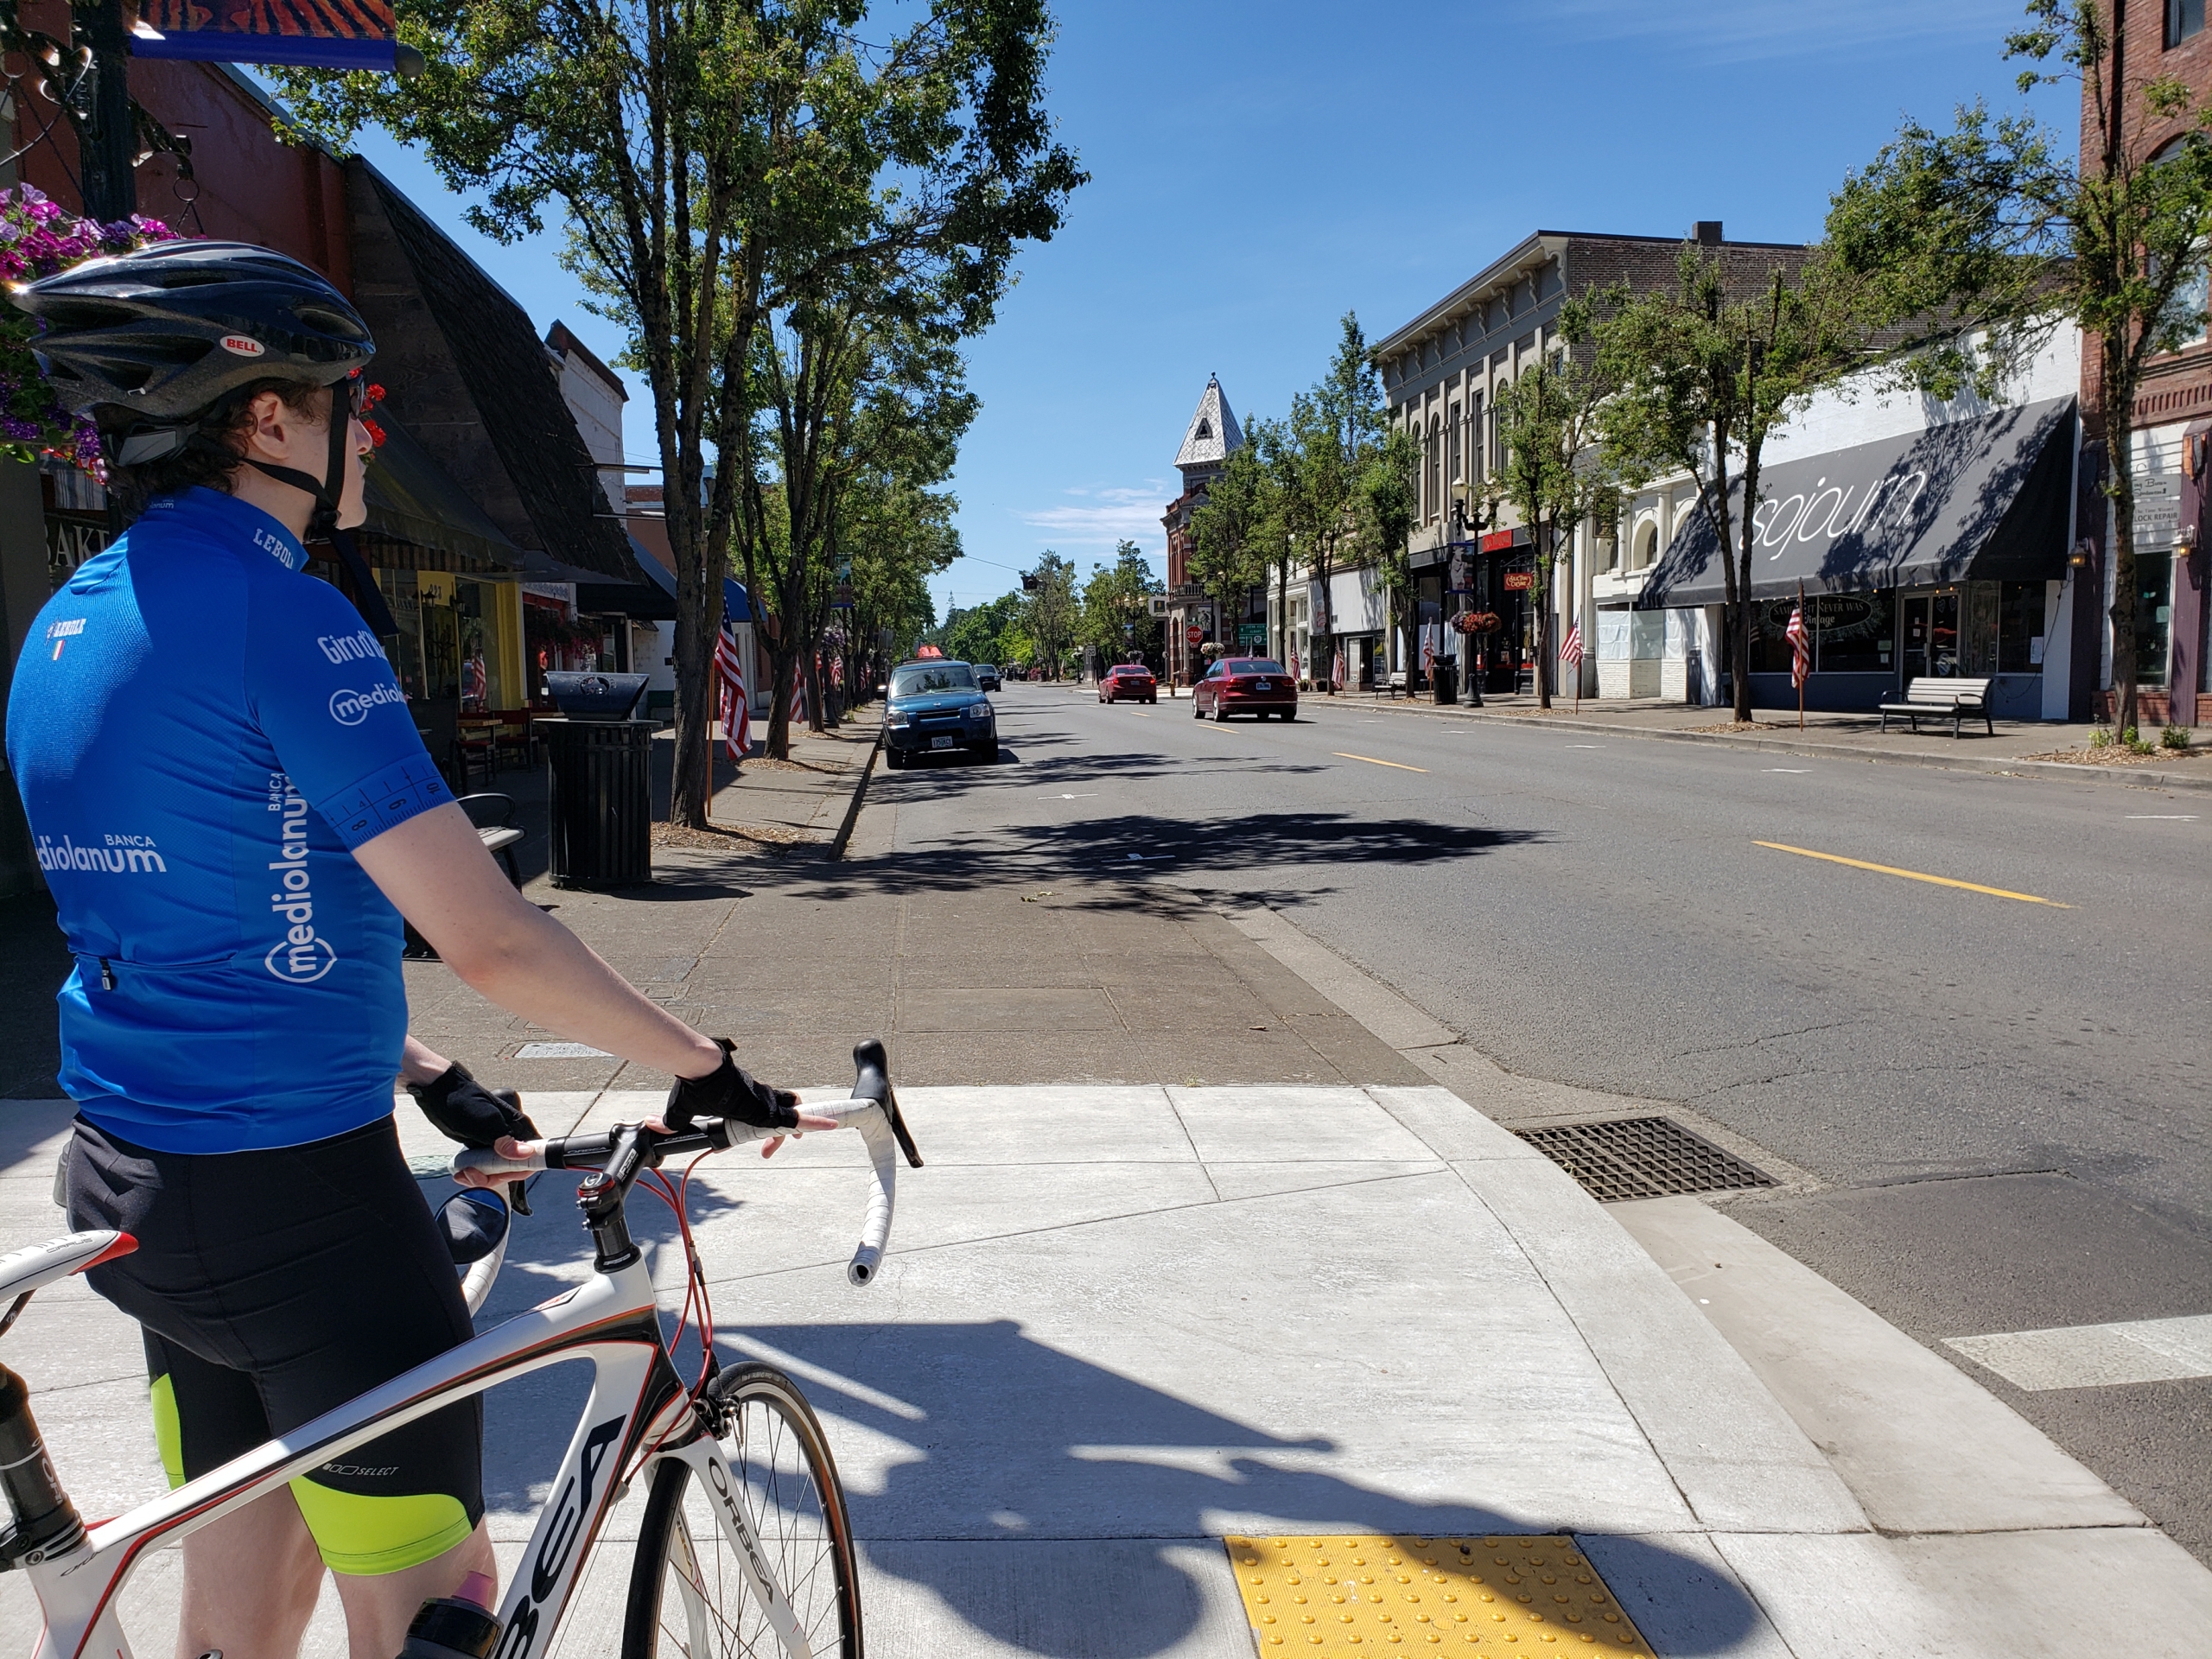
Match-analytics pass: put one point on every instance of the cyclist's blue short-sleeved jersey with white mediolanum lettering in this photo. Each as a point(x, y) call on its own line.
point(202, 735)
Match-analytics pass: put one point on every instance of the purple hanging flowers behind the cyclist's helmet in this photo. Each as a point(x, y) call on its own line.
point(41, 238)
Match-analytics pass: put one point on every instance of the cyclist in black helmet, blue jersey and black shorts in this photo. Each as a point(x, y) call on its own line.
point(233, 811)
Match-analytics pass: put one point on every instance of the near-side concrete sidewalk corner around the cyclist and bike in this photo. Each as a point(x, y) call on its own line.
point(1202, 1249)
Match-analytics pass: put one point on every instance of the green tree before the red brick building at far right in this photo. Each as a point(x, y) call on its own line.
point(1985, 240)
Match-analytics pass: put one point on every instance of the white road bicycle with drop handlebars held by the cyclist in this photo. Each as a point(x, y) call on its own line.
point(744, 1505)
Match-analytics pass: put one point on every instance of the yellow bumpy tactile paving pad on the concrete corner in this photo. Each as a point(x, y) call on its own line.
point(1496, 1596)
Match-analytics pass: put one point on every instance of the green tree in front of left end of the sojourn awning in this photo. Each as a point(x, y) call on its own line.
point(1695, 379)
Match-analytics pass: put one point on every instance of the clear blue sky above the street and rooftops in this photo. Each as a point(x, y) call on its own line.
point(1262, 169)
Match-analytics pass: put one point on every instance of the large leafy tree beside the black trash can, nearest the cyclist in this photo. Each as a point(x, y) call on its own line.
point(707, 158)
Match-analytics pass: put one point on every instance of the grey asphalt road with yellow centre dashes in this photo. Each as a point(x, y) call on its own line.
point(1985, 1098)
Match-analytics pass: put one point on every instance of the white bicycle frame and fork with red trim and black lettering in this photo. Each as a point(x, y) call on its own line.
point(636, 1404)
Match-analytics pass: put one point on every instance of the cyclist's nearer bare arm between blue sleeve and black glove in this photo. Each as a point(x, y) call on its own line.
point(439, 877)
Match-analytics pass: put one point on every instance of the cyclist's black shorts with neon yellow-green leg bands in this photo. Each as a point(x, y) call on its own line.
point(275, 1286)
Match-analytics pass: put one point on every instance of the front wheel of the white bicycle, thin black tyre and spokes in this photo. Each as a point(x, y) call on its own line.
point(689, 1598)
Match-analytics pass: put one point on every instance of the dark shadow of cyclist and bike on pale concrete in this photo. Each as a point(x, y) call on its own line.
point(1003, 1439)
